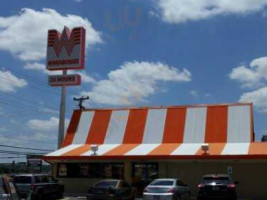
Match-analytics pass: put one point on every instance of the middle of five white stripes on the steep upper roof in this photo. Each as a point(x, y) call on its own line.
point(154, 126)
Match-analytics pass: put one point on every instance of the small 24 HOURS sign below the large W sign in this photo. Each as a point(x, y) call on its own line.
point(64, 80)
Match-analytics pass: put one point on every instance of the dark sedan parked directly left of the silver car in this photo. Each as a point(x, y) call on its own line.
point(111, 189)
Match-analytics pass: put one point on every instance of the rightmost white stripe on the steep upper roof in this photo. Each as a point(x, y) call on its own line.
point(239, 123)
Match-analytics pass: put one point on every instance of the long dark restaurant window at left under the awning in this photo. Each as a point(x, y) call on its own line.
point(91, 170)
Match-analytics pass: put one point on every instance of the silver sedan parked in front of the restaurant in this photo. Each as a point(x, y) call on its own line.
point(166, 189)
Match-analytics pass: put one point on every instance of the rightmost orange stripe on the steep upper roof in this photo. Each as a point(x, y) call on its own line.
point(216, 125)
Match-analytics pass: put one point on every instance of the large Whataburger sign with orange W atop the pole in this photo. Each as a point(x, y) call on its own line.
point(66, 50)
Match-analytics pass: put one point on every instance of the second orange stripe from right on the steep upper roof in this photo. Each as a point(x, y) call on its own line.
point(174, 125)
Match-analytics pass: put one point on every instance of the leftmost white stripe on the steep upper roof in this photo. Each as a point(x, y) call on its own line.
point(83, 128)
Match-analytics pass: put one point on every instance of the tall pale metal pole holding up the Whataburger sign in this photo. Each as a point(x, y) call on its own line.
point(61, 128)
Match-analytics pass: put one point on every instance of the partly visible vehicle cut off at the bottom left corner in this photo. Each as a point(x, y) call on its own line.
point(8, 190)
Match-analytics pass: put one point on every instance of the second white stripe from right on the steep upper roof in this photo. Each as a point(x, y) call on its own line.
point(195, 125)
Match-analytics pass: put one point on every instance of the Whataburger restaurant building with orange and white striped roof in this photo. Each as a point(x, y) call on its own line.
point(140, 144)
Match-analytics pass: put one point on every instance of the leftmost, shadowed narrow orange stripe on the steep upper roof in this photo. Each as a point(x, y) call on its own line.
point(72, 128)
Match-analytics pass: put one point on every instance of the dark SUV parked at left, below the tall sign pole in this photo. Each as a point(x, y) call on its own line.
point(41, 186)
